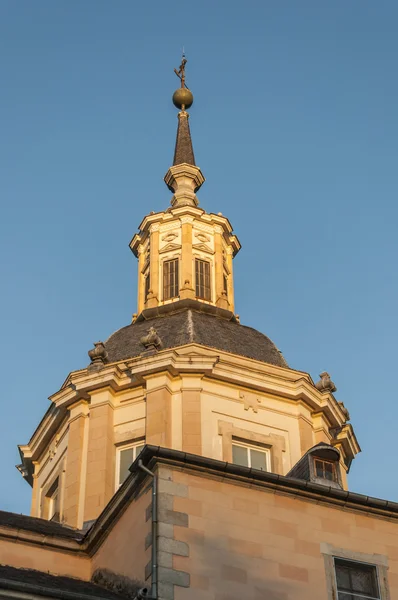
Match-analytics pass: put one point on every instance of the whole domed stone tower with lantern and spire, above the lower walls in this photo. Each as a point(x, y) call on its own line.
point(184, 375)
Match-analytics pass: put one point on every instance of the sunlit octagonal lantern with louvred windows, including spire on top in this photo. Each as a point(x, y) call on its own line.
point(184, 254)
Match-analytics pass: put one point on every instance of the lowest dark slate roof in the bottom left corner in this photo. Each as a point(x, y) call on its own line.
point(54, 586)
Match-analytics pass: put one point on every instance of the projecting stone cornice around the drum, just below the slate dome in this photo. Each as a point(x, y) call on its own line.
point(245, 373)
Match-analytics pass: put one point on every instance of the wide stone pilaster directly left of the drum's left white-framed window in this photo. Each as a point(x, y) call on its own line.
point(100, 478)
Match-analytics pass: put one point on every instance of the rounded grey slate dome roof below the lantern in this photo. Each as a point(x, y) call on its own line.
point(190, 326)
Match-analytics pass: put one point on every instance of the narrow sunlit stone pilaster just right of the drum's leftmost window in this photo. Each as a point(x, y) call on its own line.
point(75, 459)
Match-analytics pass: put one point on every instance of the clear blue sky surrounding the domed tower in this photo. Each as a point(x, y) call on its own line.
point(295, 128)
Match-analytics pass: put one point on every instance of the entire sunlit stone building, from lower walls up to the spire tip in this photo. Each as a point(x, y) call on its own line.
point(188, 459)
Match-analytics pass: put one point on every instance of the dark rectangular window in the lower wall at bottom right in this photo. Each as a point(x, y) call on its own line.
point(356, 580)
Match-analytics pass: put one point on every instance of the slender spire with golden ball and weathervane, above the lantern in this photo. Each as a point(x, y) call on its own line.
point(184, 178)
